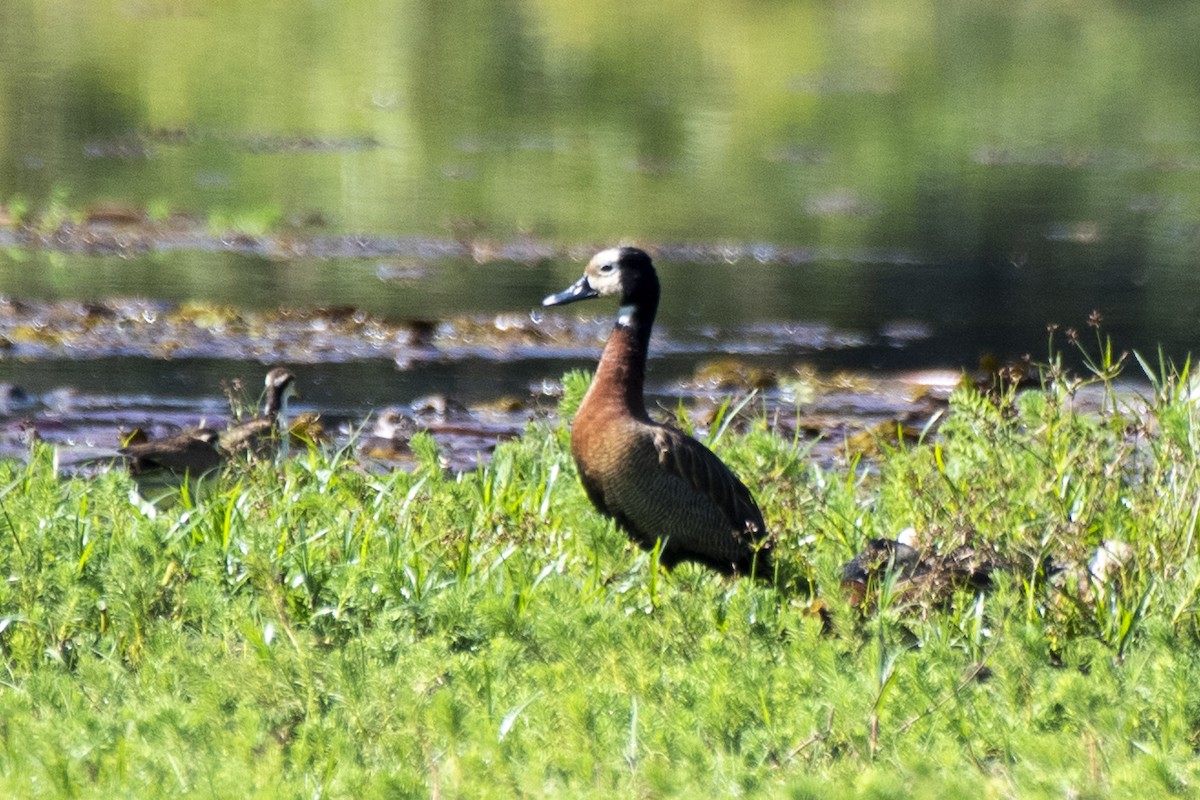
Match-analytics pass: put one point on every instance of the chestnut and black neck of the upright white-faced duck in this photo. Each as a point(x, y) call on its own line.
point(621, 376)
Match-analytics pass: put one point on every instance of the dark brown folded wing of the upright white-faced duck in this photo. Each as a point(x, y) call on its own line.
point(687, 459)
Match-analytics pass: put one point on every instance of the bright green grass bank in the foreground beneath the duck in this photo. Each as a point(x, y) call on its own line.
point(315, 630)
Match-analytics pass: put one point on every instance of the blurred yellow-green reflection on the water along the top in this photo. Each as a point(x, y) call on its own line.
point(964, 131)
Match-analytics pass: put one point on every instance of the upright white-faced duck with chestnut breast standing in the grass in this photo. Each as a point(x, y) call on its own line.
point(663, 488)
